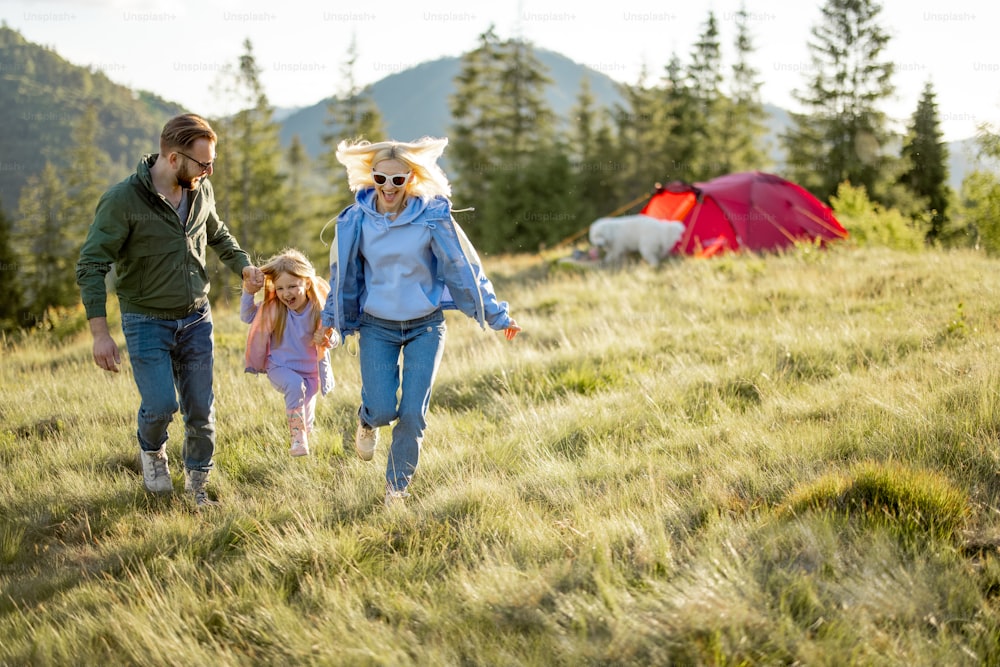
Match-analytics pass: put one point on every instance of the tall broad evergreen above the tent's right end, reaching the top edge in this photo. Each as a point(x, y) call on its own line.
point(842, 135)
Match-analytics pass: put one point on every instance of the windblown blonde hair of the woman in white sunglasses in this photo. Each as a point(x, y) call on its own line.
point(428, 180)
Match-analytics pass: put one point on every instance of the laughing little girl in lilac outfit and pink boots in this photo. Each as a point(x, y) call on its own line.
point(285, 340)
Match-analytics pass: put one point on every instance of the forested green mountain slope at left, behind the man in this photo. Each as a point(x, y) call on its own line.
point(42, 96)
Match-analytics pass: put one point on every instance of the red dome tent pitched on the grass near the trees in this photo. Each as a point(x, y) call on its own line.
point(747, 210)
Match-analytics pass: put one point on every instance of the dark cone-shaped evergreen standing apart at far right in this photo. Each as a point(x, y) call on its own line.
point(926, 156)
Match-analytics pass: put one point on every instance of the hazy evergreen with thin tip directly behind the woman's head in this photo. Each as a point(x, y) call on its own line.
point(351, 114)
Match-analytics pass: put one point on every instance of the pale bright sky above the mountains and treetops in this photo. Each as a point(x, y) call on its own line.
point(179, 48)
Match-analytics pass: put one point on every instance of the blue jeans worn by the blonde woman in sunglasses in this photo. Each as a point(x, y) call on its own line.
point(398, 356)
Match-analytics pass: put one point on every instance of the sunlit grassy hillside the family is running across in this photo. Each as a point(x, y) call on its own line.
point(783, 460)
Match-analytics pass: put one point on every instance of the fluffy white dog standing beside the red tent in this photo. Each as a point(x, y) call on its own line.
point(651, 237)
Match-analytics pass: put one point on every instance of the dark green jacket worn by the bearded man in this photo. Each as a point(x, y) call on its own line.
point(160, 265)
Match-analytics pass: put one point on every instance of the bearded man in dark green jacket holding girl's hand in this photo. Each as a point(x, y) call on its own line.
point(155, 227)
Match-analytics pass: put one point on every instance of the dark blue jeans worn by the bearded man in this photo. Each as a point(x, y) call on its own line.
point(172, 360)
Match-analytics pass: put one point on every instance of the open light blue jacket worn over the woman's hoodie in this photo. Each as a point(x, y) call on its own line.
point(457, 266)
